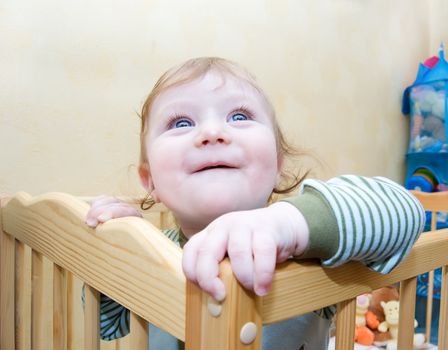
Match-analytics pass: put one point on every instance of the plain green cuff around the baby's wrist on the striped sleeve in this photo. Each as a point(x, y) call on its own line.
point(323, 227)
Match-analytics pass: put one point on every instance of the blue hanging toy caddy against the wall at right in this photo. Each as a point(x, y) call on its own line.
point(425, 101)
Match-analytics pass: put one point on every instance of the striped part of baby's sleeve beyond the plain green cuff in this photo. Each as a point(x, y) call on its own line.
point(378, 220)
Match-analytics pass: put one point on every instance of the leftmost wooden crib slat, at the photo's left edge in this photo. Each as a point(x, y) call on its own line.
point(7, 262)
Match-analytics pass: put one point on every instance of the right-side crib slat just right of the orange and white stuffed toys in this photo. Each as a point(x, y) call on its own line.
point(407, 313)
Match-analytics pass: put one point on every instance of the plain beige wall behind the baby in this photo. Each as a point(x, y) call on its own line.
point(74, 73)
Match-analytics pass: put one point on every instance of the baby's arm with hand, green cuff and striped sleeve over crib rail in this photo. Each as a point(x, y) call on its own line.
point(373, 220)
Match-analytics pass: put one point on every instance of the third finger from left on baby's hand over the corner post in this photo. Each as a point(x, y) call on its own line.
point(240, 254)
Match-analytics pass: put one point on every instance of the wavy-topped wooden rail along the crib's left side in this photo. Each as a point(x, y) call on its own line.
point(144, 265)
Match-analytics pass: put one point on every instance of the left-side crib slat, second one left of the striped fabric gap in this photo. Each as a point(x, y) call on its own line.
point(59, 308)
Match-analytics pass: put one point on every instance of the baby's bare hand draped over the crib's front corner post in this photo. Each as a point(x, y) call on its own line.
point(255, 241)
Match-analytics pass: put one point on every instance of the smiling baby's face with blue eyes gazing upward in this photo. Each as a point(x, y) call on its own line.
point(211, 149)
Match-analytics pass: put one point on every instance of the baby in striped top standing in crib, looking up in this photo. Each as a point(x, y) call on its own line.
point(213, 153)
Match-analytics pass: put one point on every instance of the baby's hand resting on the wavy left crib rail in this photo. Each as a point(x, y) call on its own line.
point(104, 208)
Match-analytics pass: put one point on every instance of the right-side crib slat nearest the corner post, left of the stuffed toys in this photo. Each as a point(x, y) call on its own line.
point(345, 325)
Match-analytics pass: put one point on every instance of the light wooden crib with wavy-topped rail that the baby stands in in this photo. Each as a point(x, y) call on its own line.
point(131, 261)
